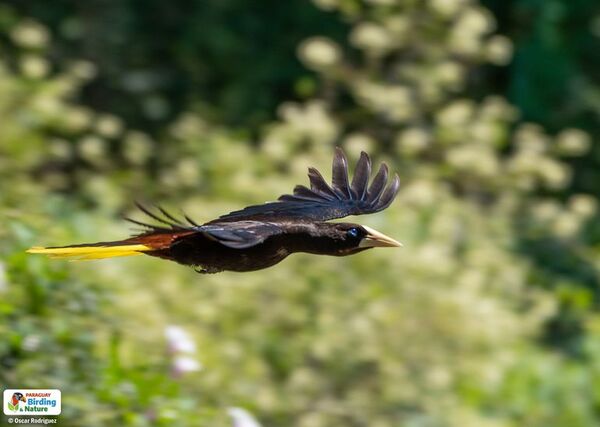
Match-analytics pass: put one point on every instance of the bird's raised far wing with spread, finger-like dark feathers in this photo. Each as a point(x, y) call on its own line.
point(322, 202)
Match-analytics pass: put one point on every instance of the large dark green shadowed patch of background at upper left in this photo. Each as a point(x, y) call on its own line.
point(233, 59)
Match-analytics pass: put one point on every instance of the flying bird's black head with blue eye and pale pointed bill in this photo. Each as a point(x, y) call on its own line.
point(348, 238)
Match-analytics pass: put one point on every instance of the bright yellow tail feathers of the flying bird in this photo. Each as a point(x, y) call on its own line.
point(90, 252)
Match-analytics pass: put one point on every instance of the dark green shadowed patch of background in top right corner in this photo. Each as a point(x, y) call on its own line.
point(554, 78)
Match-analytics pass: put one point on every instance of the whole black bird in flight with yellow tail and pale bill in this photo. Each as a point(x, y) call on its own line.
point(260, 236)
